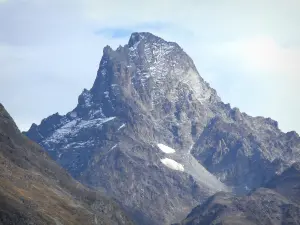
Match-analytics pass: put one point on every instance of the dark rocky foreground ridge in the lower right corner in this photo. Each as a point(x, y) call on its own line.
point(277, 204)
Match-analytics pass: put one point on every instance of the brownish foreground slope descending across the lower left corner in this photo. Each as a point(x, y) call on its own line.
point(34, 190)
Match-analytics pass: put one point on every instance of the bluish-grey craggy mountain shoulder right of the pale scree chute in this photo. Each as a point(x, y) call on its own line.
point(245, 152)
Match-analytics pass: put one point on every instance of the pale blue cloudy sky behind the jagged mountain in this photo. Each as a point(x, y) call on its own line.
point(249, 51)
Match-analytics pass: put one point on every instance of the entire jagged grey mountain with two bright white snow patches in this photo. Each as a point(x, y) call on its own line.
point(153, 134)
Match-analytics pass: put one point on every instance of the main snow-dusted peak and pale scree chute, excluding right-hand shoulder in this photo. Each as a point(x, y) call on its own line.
point(146, 93)
